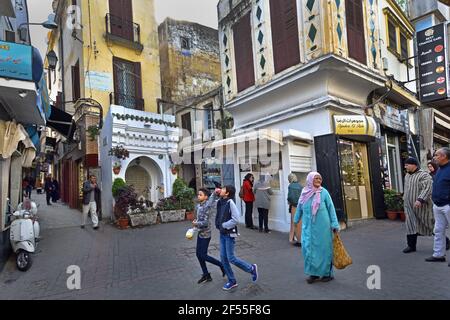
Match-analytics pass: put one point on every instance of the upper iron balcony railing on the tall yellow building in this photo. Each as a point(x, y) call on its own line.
point(123, 31)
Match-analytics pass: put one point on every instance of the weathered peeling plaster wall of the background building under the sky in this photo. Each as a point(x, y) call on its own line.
point(186, 73)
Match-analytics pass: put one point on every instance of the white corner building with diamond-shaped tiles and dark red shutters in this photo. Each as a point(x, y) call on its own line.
point(328, 83)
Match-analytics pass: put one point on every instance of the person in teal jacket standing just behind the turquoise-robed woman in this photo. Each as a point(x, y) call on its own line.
point(294, 191)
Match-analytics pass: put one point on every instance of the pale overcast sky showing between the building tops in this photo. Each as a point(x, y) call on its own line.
point(201, 11)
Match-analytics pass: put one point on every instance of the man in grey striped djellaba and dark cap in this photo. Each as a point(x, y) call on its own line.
point(418, 204)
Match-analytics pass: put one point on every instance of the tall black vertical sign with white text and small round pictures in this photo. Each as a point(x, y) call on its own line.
point(432, 57)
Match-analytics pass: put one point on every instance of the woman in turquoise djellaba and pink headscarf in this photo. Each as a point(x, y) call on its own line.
point(319, 221)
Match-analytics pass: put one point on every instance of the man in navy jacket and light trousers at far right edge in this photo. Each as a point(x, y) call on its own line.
point(441, 205)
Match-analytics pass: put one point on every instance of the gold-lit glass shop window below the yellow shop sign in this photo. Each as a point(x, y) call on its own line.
point(354, 164)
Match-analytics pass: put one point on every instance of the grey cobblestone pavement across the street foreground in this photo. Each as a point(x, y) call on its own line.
point(157, 262)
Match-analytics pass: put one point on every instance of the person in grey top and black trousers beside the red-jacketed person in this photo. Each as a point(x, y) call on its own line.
point(262, 193)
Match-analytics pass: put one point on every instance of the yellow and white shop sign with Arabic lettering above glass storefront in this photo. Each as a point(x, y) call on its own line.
point(355, 125)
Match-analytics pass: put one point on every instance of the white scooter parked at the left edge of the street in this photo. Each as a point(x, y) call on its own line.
point(24, 233)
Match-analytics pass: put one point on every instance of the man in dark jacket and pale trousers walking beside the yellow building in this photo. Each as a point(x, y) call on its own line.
point(91, 201)
